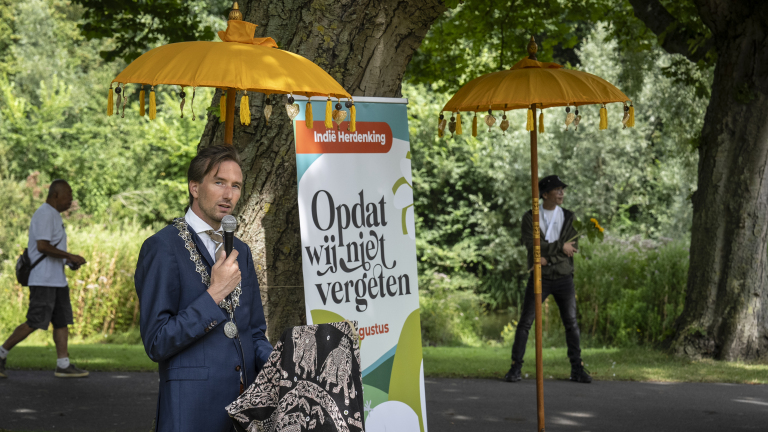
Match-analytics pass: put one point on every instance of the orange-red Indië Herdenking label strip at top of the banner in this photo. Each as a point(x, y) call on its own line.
point(370, 137)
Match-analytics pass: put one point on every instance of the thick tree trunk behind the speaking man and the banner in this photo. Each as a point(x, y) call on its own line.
point(366, 46)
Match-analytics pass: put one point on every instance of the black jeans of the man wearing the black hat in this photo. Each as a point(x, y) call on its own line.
point(565, 296)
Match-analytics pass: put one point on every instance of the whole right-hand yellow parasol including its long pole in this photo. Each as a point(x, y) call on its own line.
point(531, 84)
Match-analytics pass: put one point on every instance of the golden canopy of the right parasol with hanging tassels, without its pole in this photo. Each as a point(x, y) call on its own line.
point(532, 83)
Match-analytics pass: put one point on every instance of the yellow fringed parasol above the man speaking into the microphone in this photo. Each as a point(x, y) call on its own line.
point(241, 63)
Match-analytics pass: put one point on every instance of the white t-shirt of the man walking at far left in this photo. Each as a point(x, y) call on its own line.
point(47, 225)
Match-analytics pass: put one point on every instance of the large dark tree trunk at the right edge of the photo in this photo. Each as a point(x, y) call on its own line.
point(726, 308)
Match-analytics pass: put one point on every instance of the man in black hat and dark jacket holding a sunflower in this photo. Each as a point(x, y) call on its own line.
point(557, 249)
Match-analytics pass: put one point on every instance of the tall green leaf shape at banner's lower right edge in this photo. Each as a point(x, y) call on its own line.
point(405, 384)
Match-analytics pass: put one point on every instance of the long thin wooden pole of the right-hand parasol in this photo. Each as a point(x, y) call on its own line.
point(537, 273)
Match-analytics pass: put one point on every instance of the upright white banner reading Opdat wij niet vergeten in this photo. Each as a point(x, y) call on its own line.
point(359, 250)
